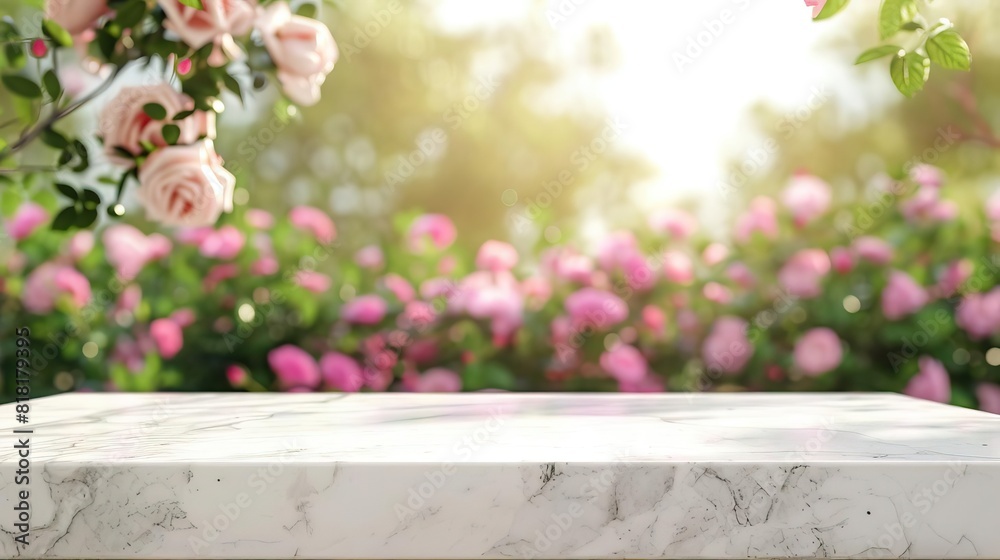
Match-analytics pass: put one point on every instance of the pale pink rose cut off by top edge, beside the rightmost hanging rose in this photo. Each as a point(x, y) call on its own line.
point(198, 27)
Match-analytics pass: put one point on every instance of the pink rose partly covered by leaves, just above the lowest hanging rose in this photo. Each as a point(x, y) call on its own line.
point(124, 123)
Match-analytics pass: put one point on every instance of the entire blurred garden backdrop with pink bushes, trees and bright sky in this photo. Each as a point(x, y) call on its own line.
point(548, 196)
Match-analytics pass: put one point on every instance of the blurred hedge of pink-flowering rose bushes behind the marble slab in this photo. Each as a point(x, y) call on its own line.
point(806, 294)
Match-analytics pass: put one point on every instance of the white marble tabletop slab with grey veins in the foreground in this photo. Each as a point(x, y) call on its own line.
point(502, 476)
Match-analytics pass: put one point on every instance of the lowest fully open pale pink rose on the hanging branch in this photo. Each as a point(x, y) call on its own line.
point(185, 185)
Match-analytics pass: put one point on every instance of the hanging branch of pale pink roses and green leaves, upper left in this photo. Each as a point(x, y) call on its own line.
point(159, 134)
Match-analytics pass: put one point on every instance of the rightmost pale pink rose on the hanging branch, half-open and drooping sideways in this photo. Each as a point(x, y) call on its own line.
point(303, 50)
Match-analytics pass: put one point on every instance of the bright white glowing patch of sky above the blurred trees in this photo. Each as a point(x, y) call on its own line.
point(686, 116)
